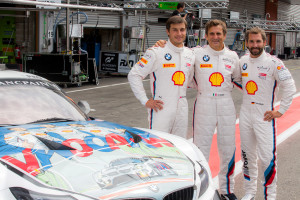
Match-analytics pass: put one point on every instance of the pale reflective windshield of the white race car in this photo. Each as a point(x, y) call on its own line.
point(22, 104)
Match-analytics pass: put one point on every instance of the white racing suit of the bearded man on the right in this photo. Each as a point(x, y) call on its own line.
point(260, 78)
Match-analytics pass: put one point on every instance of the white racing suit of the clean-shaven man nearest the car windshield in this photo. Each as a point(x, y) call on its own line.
point(171, 69)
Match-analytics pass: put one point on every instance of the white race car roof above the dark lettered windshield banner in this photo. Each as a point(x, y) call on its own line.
point(11, 74)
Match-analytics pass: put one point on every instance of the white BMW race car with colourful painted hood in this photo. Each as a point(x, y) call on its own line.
point(50, 149)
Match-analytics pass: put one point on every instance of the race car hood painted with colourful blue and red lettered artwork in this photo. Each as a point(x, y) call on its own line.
point(98, 159)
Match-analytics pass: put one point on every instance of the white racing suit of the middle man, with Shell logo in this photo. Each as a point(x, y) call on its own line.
point(214, 107)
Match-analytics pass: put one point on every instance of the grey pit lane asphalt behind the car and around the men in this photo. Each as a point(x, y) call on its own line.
point(113, 100)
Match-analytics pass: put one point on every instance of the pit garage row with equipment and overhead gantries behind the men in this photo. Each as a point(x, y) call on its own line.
point(78, 41)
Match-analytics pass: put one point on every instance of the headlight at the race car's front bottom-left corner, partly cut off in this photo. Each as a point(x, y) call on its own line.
point(24, 194)
